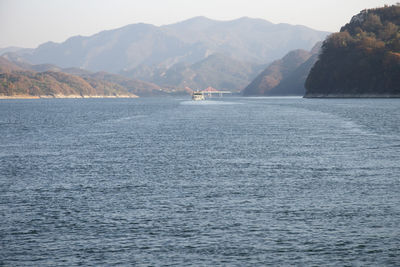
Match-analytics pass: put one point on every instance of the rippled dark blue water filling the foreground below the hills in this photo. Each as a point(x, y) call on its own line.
point(234, 182)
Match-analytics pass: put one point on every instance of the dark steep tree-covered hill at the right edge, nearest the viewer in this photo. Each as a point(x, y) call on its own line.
point(362, 60)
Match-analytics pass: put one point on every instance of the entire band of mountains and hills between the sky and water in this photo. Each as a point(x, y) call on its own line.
point(252, 56)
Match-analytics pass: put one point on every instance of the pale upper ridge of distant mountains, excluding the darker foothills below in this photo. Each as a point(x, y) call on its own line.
point(188, 42)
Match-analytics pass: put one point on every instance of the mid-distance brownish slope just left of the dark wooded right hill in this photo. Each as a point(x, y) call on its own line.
point(284, 74)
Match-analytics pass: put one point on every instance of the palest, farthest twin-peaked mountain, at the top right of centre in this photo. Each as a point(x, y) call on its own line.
point(245, 39)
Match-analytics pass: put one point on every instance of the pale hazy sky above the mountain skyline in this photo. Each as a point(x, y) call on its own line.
point(28, 23)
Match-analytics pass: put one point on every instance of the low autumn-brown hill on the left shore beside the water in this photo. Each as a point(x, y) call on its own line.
point(20, 79)
